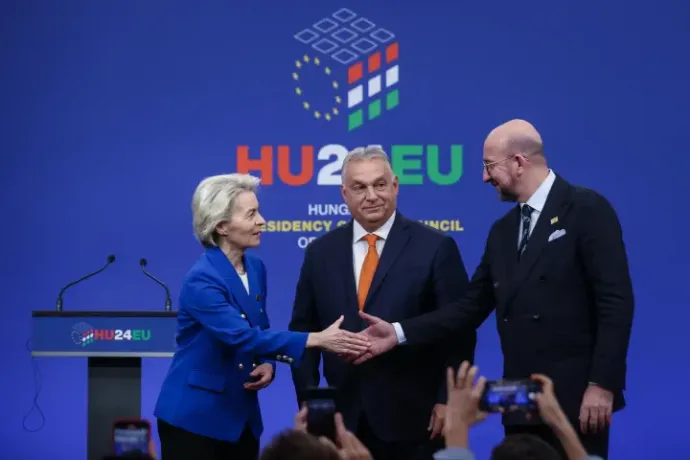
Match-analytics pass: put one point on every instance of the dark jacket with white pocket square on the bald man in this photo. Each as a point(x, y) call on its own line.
point(564, 309)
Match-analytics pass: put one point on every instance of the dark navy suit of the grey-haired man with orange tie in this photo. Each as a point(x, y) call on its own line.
point(420, 270)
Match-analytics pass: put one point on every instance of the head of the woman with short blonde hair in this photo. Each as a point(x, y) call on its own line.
point(226, 212)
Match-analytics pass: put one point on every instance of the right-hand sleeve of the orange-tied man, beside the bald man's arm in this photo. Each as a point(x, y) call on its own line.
point(450, 285)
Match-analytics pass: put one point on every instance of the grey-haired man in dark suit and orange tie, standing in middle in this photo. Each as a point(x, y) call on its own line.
point(395, 268)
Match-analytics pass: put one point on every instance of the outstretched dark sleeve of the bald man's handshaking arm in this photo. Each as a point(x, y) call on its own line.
point(457, 316)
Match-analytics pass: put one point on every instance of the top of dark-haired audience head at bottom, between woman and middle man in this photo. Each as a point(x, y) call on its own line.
point(297, 445)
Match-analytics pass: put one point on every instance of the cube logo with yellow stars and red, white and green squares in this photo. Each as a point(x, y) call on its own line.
point(358, 60)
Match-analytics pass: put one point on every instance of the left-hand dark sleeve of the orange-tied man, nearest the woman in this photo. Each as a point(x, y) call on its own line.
point(305, 319)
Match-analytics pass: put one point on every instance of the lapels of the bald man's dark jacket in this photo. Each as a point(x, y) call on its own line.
point(557, 205)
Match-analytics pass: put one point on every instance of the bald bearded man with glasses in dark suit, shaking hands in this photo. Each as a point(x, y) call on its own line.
point(556, 272)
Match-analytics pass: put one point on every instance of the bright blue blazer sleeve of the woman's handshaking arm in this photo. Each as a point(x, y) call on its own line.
point(205, 300)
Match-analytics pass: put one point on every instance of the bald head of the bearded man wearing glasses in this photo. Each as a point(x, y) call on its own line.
point(514, 160)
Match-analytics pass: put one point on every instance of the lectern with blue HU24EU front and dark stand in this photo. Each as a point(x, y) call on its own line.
point(114, 342)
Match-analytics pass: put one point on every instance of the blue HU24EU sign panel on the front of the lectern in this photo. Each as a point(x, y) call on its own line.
point(107, 334)
